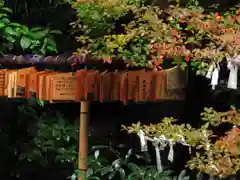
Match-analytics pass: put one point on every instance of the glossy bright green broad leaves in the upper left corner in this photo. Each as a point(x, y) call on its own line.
point(18, 39)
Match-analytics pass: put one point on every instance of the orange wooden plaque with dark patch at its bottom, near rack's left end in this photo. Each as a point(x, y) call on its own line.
point(22, 81)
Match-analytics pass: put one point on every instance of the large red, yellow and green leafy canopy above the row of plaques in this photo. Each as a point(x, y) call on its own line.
point(145, 35)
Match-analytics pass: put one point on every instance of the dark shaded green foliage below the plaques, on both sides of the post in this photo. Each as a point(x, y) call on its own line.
point(54, 139)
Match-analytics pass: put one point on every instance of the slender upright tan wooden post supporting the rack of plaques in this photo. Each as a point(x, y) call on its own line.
point(83, 140)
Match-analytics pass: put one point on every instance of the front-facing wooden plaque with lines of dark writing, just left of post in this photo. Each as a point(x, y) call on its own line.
point(63, 86)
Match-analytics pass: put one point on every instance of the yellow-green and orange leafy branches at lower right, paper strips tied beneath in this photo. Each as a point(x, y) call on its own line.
point(216, 155)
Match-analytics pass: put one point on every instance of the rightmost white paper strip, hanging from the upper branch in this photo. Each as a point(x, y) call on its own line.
point(233, 75)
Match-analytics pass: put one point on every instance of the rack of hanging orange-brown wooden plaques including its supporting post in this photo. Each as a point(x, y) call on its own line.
point(88, 85)
